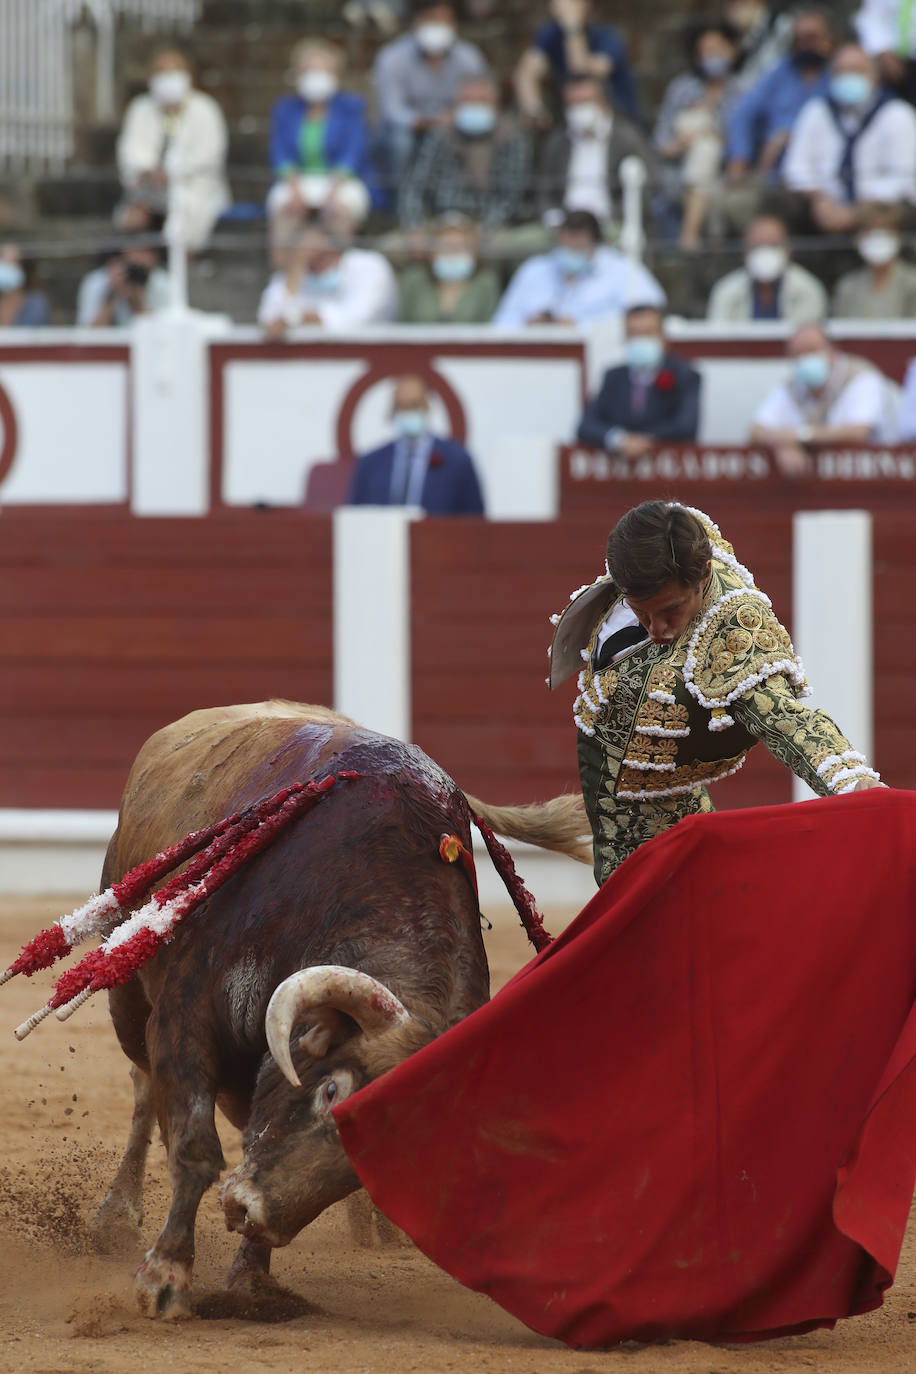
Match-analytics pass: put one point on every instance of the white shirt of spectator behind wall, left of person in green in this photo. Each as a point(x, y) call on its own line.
point(367, 295)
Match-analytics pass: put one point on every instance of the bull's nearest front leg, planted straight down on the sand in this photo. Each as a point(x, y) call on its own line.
point(186, 1099)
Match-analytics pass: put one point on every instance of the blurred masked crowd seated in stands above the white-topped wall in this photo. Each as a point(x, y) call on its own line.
point(461, 196)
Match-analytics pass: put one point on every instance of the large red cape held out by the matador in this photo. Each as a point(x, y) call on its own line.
point(696, 1114)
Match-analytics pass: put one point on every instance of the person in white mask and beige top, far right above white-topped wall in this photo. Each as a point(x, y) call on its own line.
point(885, 289)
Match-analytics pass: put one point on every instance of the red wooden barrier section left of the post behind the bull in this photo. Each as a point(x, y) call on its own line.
point(113, 627)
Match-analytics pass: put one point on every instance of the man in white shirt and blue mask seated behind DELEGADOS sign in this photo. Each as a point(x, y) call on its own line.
point(832, 398)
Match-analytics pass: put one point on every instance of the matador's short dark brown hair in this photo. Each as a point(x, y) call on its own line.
point(654, 545)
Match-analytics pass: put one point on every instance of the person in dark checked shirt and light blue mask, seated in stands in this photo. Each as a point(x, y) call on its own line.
point(479, 166)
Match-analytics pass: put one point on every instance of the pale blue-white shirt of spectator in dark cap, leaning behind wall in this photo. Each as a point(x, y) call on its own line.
point(612, 284)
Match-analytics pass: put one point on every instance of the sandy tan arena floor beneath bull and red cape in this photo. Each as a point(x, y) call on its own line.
point(64, 1116)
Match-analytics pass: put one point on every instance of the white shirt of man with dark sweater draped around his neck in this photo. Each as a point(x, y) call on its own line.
point(884, 157)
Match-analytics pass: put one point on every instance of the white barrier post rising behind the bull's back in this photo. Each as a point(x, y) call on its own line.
point(373, 616)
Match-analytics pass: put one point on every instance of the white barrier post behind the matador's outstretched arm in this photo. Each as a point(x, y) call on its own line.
point(833, 619)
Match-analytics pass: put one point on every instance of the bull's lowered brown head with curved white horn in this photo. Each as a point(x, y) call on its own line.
point(330, 1031)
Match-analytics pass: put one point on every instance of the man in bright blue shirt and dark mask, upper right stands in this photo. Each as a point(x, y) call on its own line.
point(760, 126)
